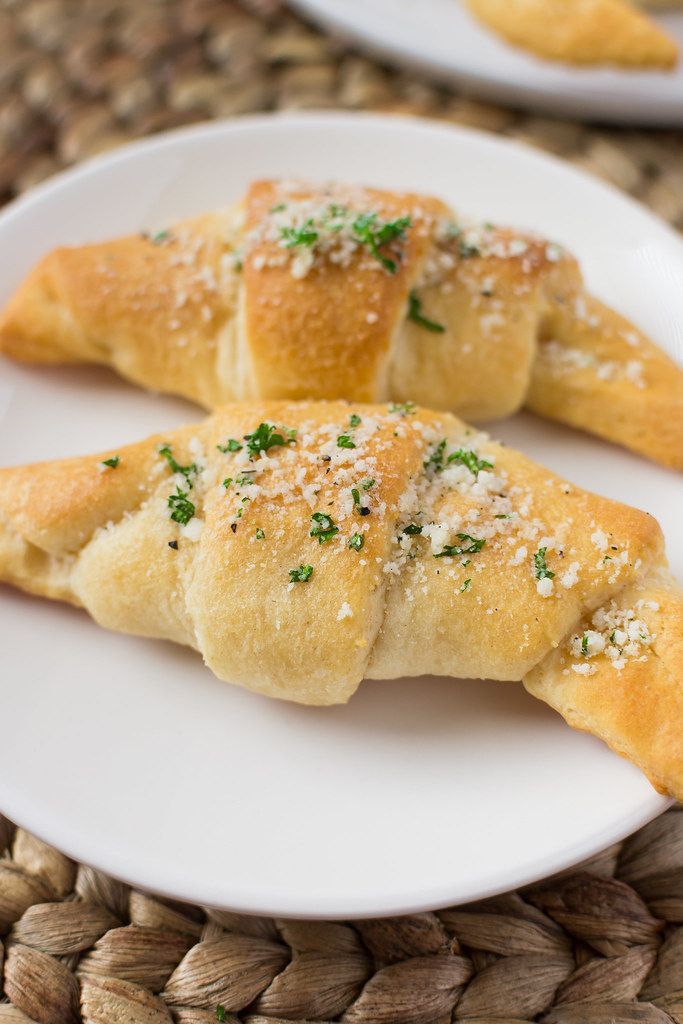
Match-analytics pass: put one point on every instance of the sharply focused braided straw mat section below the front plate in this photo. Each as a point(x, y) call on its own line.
point(601, 945)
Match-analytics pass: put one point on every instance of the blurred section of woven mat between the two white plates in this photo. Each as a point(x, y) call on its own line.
point(78, 77)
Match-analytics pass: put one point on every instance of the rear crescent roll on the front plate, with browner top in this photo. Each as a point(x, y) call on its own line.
point(353, 293)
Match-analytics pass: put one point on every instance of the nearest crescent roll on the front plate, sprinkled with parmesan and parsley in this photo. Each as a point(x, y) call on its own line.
point(302, 547)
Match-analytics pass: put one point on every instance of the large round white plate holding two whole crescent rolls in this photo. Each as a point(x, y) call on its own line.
point(130, 755)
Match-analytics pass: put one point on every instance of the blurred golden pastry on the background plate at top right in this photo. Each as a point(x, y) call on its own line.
point(581, 32)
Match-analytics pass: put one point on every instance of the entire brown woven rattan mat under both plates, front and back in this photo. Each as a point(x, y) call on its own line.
point(599, 946)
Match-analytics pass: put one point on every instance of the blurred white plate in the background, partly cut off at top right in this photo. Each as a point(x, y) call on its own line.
point(442, 38)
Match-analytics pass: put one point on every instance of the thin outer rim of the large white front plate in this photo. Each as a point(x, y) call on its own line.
point(428, 900)
